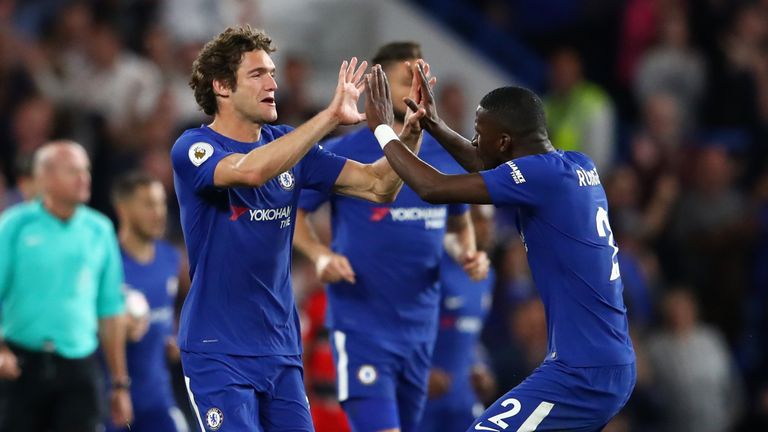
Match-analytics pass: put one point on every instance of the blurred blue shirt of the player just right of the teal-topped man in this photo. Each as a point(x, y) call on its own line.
point(147, 366)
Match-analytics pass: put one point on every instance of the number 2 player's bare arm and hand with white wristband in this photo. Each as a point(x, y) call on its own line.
point(430, 184)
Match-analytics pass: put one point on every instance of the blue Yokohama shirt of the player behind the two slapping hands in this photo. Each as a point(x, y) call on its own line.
point(395, 250)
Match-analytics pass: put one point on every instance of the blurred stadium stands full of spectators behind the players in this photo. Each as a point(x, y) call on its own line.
point(670, 96)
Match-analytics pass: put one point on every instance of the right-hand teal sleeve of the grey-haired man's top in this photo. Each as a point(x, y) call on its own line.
point(110, 299)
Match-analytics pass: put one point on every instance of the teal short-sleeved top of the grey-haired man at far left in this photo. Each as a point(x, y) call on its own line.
point(57, 278)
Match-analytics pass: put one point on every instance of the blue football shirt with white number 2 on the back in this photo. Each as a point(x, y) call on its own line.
point(563, 220)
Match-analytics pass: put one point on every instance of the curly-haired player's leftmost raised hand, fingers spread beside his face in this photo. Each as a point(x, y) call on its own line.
point(348, 90)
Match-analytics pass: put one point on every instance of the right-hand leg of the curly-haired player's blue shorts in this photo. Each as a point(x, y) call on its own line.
point(286, 408)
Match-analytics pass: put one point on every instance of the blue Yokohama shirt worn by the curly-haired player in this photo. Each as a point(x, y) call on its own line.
point(239, 244)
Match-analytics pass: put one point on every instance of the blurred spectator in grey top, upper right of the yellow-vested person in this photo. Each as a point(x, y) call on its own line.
point(672, 67)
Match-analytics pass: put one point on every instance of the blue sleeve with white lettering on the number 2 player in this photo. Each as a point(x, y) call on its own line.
point(519, 182)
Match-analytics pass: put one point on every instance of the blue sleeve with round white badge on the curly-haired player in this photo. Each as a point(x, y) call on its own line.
point(194, 159)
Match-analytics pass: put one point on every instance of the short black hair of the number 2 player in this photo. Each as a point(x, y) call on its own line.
point(516, 108)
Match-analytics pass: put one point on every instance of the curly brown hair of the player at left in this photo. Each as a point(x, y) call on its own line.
point(219, 60)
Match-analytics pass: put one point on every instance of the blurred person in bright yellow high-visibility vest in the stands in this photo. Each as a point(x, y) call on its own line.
point(579, 113)
